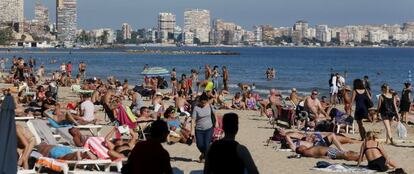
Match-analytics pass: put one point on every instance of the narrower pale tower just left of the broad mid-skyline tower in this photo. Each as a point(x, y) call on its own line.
point(166, 25)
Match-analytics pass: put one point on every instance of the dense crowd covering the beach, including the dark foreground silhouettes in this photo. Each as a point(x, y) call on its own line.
point(183, 109)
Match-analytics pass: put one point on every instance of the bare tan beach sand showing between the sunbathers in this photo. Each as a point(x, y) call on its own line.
point(253, 133)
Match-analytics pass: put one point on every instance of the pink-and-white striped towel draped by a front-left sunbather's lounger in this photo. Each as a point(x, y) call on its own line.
point(95, 145)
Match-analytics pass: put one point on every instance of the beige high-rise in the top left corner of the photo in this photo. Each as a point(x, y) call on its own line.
point(12, 14)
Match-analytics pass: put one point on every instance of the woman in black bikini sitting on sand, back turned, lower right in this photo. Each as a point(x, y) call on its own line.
point(377, 158)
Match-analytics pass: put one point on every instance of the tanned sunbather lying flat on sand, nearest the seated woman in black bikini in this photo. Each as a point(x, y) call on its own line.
point(327, 152)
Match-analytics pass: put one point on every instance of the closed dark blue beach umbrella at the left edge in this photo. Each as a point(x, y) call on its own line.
point(8, 139)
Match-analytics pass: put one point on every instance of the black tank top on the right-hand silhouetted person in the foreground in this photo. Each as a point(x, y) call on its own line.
point(223, 158)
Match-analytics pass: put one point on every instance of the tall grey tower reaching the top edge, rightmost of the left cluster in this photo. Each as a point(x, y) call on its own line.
point(66, 21)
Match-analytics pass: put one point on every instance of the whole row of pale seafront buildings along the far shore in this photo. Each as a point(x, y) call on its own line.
point(197, 29)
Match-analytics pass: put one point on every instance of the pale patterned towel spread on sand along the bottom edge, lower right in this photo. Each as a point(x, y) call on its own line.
point(341, 168)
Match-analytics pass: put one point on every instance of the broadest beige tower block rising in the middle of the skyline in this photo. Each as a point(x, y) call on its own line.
point(197, 21)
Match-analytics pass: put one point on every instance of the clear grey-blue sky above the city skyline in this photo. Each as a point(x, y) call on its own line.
point(247, 13)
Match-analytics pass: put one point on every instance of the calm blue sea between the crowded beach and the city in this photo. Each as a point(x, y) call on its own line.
point(302, 68)
